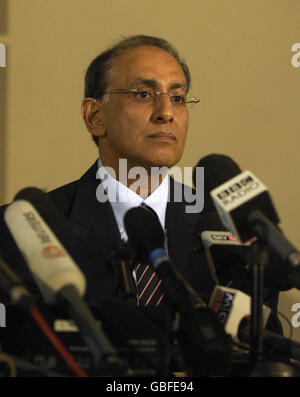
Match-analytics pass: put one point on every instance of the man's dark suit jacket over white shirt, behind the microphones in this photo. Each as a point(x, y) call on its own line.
point(90, 231)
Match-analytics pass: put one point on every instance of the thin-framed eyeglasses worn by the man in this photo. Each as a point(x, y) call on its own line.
point(148, 96)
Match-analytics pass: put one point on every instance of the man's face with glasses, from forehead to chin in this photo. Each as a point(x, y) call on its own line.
point(147, 135)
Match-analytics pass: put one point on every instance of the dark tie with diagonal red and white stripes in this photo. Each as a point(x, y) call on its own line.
point(149, 285)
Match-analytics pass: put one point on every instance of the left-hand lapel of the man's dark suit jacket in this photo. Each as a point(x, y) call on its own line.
point(91, 231)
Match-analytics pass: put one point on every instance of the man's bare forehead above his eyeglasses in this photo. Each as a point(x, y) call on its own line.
point(144, 63)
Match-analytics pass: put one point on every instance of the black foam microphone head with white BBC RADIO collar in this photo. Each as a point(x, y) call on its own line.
point(228, 187)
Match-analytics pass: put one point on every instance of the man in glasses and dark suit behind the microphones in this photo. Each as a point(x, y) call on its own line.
point(136, 108)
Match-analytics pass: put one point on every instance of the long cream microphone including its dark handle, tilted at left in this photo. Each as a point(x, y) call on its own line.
point(55, 272)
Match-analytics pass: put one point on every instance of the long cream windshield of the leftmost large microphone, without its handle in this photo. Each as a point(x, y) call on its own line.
point(50, 264)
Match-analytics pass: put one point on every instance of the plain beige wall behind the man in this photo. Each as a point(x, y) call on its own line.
point(240, 58)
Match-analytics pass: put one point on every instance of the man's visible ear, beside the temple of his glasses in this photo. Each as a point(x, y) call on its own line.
point(91, 111)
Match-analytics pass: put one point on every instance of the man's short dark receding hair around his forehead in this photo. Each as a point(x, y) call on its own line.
point(96, 78)
